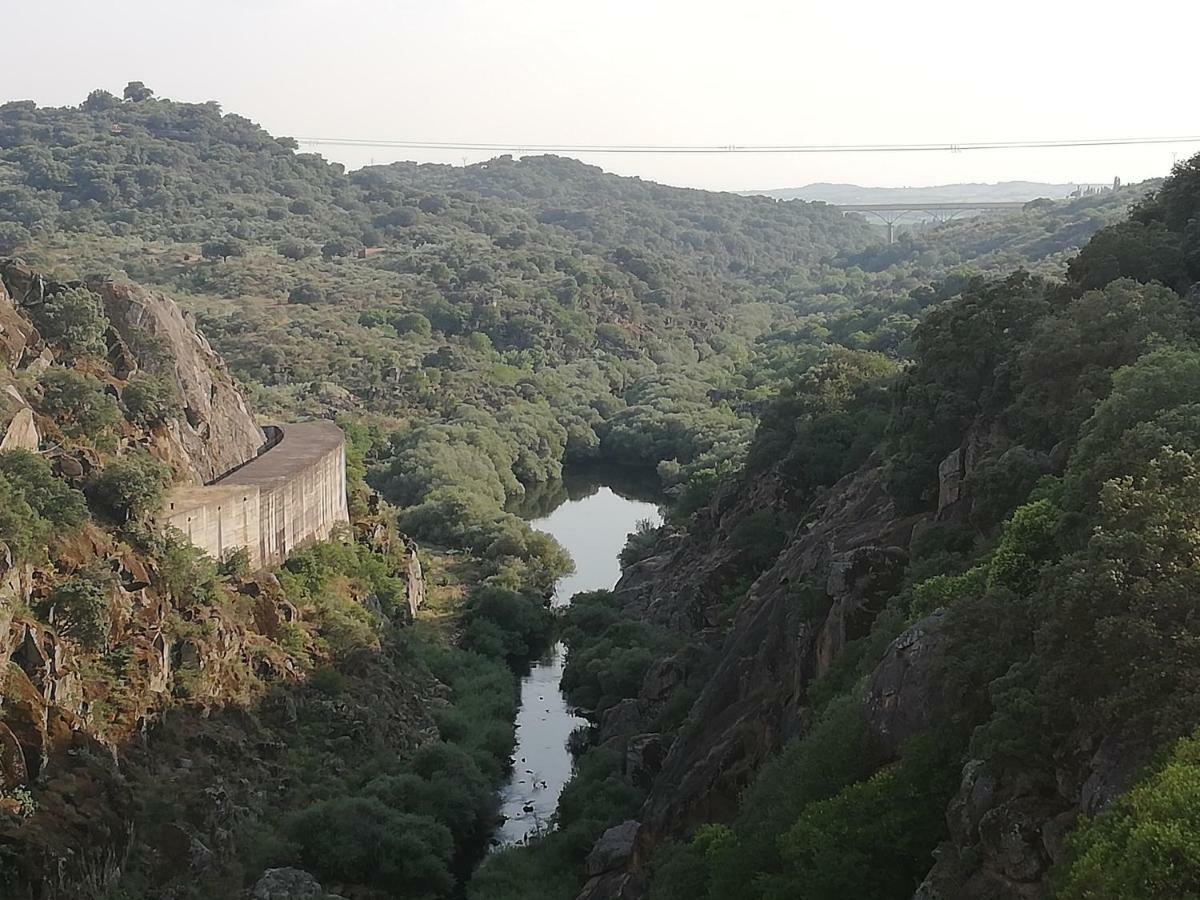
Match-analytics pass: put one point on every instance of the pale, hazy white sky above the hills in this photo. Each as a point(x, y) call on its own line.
point(691, 73)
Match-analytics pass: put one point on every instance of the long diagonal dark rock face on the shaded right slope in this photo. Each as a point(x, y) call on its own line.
point(836, 568)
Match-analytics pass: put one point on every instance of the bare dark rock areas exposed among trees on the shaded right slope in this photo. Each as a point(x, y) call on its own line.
point(837, 574)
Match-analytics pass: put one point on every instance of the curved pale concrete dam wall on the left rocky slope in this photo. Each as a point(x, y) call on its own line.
point(293, 494)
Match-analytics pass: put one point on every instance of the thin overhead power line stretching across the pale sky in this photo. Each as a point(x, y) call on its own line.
point(747, 148)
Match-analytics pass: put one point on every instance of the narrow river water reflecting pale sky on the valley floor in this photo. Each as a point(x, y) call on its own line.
point(592, 523)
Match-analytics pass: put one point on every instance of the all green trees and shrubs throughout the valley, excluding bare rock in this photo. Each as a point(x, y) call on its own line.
point(479, 328)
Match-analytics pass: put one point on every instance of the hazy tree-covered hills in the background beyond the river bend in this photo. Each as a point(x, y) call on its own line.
point(494, 321)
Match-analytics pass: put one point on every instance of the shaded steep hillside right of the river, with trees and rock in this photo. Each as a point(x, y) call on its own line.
point(937, 639)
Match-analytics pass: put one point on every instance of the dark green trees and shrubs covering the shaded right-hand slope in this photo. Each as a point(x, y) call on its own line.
point(1077, 548)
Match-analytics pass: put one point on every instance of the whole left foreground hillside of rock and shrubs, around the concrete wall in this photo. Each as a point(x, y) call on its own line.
point(171, 724)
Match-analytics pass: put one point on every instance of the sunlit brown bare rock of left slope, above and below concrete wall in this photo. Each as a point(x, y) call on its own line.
point(146, 742)
